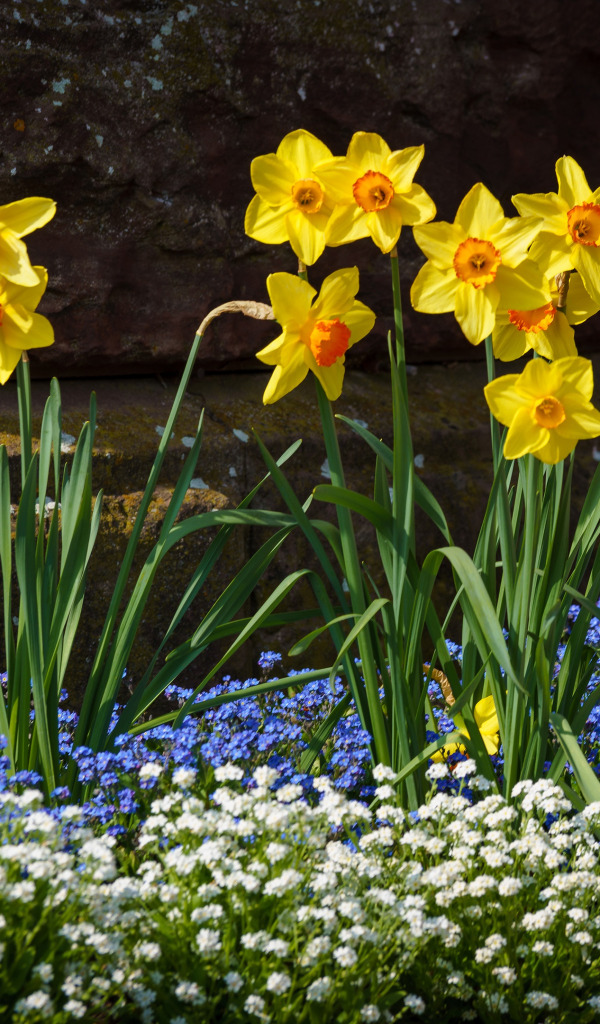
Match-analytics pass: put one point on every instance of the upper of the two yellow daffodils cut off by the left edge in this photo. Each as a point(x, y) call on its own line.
point(18, 220)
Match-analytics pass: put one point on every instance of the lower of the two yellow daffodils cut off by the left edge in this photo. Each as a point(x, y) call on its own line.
point(21, 328)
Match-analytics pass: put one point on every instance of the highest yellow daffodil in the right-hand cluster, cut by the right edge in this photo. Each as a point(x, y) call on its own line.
point(571, 226)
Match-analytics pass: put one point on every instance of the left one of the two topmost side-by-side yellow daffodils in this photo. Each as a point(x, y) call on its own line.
point(292, 204)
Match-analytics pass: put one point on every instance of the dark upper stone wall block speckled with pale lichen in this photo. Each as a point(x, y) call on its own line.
point(141, 119)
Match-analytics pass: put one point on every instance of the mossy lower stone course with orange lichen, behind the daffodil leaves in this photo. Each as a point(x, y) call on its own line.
point(451, 437)
